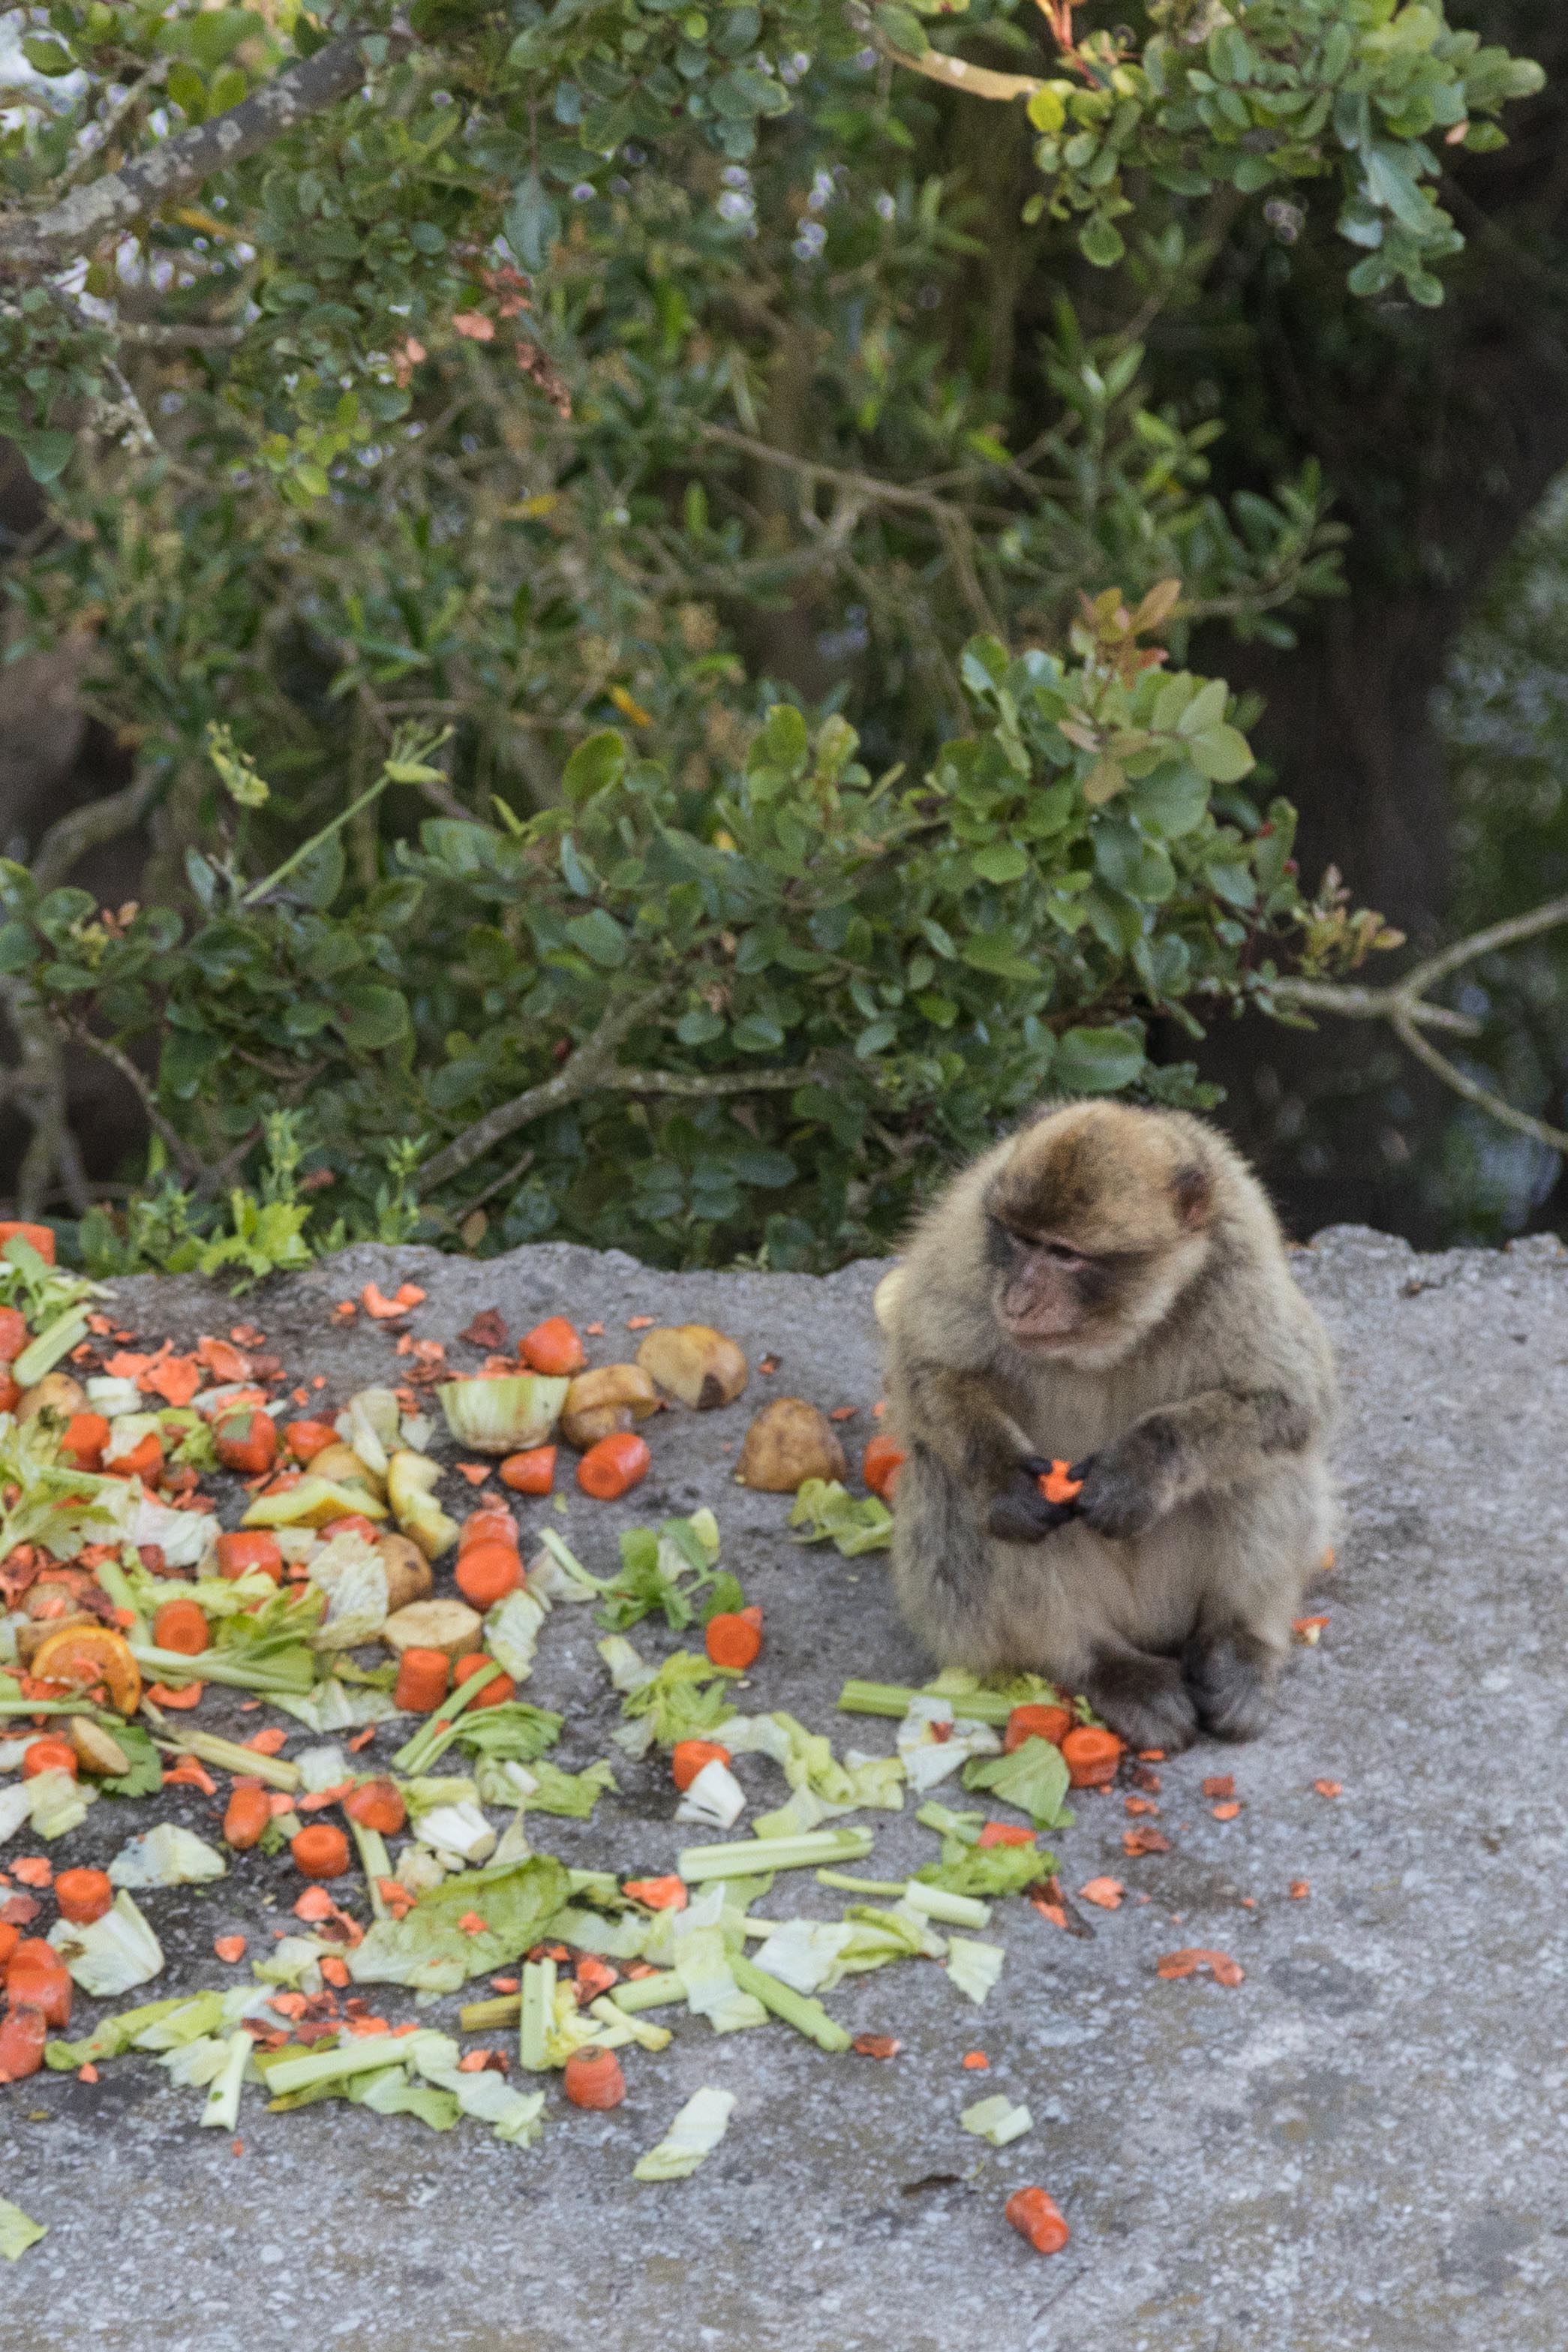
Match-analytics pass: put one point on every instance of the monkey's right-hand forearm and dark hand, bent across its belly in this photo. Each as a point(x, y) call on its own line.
point(1207, 1443)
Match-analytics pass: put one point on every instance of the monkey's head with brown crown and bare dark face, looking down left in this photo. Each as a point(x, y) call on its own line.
point(1092, 1231)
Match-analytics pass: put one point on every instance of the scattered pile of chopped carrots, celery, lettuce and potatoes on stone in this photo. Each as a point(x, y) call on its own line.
point(187, 1537)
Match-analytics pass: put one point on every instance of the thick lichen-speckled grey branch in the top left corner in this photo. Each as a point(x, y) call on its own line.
point(79, 225)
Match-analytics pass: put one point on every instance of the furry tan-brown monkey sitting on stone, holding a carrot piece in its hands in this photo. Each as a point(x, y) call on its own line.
point(1111, 1288)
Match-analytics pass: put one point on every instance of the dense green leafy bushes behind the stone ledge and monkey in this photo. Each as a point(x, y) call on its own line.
point(631, 396)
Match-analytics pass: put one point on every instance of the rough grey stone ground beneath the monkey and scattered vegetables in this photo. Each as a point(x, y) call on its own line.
point(1355, 2149)
